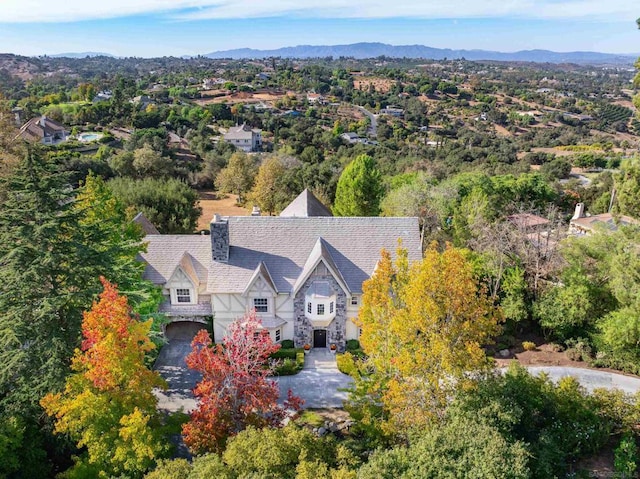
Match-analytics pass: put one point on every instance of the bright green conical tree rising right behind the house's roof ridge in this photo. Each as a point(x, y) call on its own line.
point(359, 189)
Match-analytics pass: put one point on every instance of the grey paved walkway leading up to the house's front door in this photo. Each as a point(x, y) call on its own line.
point(319, 382)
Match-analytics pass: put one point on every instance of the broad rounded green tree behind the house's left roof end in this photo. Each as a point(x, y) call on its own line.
point(170, 204)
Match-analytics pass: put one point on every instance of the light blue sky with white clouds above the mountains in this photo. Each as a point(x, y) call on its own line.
point(148, 28)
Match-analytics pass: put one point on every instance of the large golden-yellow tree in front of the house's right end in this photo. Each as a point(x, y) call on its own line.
point(423, 327)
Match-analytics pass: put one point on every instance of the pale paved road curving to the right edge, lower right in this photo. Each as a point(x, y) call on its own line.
point(590, 378)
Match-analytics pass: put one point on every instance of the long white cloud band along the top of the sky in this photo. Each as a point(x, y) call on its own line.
point(19, 11)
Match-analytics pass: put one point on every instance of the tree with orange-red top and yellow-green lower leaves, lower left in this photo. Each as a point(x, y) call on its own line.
point(108, 405)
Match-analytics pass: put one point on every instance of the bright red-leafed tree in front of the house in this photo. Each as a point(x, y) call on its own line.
point(235, 391)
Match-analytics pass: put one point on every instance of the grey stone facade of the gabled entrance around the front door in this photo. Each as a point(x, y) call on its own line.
point(303, 327)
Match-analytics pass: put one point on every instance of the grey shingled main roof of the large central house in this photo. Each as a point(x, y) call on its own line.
point(285, 245)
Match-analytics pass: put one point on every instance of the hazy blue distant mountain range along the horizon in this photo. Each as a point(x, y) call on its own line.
point(373, 50)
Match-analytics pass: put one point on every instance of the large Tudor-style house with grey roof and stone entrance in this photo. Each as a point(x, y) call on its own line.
point(301, 271)
